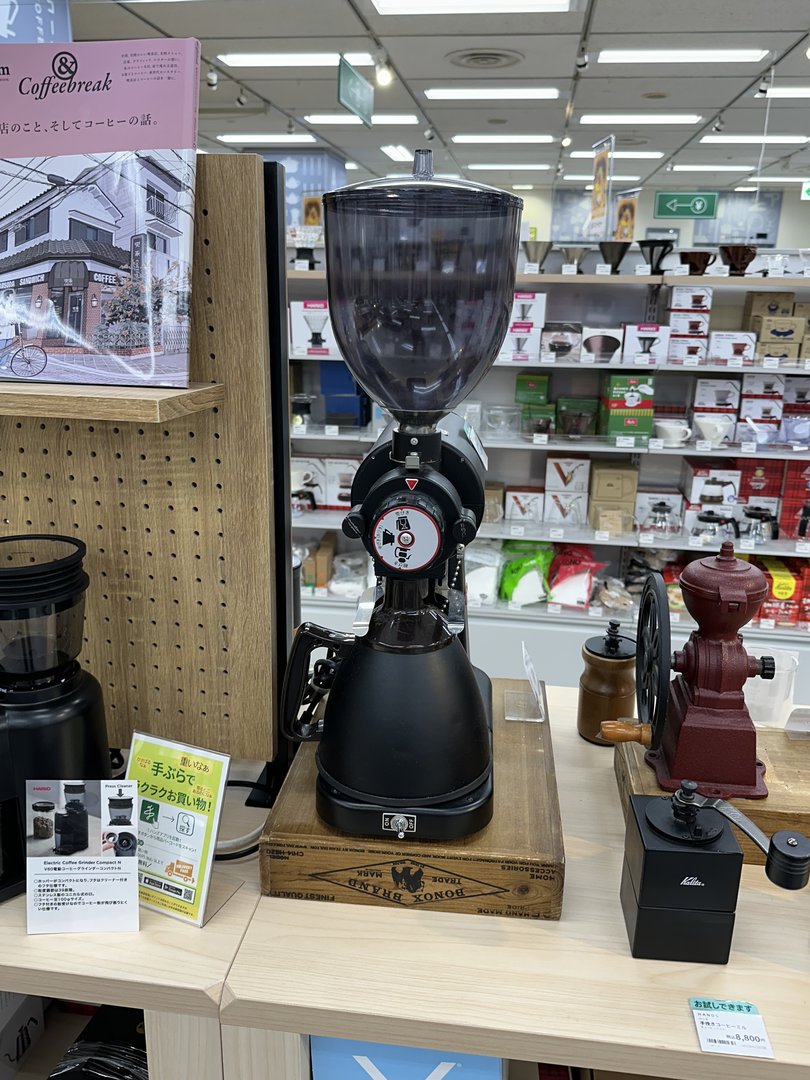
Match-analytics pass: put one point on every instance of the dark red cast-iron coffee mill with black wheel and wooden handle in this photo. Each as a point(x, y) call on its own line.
point(698, 726)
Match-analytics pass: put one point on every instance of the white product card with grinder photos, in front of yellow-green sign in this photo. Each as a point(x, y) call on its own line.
point(82, 857)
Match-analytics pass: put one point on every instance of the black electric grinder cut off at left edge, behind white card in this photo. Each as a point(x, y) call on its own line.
point(52, 724)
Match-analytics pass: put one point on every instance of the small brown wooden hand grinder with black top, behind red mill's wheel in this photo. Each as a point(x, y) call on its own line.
point(607, 687)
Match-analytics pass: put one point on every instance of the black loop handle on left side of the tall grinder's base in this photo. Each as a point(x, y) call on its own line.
point(309, 638)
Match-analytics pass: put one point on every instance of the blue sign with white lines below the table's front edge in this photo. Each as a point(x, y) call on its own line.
point(346, 1060)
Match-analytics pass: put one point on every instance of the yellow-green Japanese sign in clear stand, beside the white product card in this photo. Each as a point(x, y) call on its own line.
point(181, 796)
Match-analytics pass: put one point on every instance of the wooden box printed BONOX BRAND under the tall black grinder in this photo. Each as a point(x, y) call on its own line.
point(515, 867)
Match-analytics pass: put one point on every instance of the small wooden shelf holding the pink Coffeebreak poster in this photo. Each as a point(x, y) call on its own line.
point(128, 404)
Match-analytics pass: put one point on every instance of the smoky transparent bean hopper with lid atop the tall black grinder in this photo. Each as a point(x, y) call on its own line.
point(421, 280)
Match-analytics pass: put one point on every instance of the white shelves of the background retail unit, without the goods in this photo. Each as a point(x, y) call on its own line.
point(496, 632)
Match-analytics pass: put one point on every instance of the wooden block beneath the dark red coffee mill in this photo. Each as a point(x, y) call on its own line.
point(787, 775)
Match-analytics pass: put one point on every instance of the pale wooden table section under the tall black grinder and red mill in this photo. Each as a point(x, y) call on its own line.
point(557, 992)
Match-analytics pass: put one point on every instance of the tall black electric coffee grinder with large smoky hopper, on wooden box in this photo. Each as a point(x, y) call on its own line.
point(406, 748)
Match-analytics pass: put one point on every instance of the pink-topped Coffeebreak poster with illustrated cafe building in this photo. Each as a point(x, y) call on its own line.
point(98, 166)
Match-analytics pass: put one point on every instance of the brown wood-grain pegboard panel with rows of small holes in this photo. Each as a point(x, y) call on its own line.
point(178, 517)
